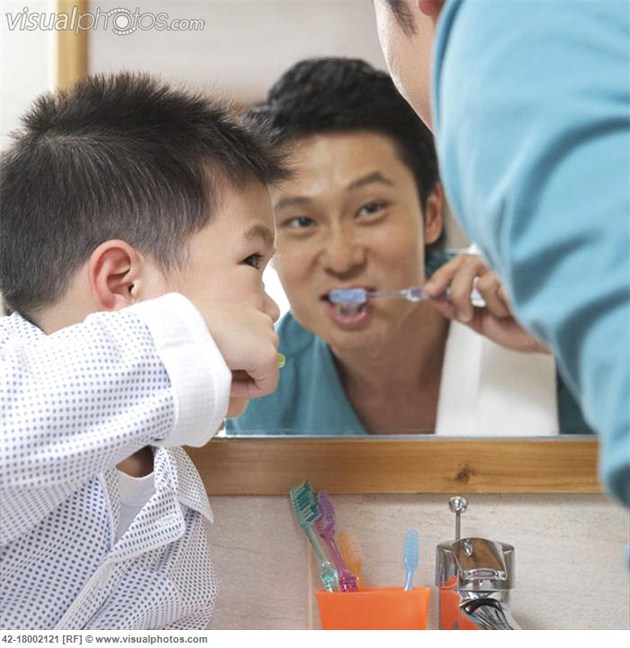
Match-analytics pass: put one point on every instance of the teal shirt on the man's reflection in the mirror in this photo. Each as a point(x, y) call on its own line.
point(310, 399)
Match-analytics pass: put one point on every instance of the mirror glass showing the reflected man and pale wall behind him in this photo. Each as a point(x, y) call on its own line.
point(365, 209)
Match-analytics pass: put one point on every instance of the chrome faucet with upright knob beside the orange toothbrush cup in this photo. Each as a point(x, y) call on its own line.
point(474, 577)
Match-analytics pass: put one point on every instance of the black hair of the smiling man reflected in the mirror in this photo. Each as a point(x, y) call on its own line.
point(337, 95)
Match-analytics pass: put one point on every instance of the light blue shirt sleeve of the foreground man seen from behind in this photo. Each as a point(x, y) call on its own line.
point(532, 116)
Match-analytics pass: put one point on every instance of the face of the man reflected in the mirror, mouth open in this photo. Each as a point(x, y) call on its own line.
point(350, 218)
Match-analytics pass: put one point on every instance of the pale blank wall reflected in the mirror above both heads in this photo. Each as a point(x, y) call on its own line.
point(245, 44)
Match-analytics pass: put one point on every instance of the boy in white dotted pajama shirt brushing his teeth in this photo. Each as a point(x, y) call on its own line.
point(119, 191)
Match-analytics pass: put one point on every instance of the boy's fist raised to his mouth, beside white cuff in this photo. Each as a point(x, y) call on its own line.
point(248, 343)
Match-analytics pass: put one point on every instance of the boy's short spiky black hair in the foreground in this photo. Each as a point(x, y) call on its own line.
point(123, 156)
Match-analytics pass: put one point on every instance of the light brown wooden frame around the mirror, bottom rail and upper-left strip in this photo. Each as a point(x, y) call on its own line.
point(270, 466)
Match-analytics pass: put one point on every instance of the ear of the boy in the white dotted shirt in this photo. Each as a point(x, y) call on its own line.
point(114, 269)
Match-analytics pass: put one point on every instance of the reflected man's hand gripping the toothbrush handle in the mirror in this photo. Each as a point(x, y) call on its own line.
point(495, 321)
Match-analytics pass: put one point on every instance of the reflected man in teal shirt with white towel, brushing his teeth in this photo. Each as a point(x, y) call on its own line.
point(364, 211)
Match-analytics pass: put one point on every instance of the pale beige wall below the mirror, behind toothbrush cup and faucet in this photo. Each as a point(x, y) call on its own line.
point(571, 555)
